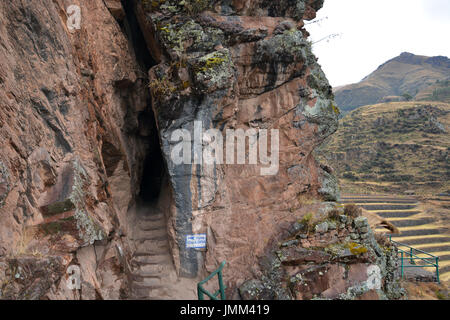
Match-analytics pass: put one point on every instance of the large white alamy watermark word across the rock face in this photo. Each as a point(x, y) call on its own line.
point(207, 147)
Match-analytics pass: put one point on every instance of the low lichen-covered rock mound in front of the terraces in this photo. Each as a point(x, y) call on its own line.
point(336, 258)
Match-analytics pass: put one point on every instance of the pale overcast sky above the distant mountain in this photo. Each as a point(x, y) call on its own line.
point(373, 32)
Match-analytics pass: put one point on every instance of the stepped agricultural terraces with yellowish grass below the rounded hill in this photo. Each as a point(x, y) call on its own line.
point(418, 228)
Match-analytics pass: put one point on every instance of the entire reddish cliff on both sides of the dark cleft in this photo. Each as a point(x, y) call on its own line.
point(93, 94)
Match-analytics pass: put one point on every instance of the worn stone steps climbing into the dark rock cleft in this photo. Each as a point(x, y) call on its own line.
point(153, 273)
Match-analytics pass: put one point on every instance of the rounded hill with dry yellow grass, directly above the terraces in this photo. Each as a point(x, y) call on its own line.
point(393, 147)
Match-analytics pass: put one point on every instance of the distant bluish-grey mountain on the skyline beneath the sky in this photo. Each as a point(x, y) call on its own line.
point(419, 77)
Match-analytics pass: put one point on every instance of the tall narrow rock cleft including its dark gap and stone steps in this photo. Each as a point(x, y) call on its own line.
point(152, 261)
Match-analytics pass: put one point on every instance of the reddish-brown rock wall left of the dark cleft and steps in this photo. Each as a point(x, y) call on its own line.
point(72, 147)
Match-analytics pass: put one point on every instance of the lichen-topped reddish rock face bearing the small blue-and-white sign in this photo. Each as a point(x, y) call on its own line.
point(238, 65)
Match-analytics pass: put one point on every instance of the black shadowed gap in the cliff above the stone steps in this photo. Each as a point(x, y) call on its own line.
point(153, 167)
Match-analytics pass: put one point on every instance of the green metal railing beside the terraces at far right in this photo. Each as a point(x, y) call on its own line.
point(410, 255)
